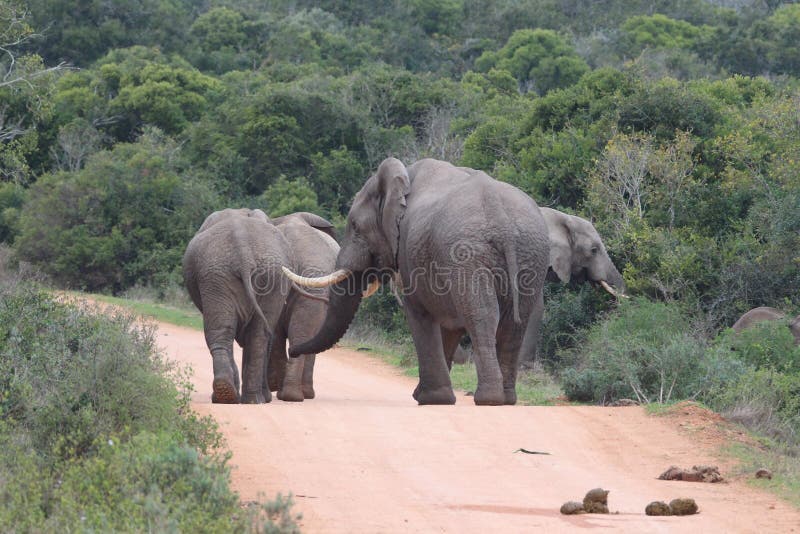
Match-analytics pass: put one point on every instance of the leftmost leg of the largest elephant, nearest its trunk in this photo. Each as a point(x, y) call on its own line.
point(434, 377)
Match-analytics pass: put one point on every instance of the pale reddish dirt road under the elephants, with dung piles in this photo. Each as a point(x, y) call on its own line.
point(363, 457)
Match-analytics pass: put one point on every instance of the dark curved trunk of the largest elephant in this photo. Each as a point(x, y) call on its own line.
point(345, 297)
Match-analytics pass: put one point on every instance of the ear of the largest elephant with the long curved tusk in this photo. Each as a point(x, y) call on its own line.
point(393, 187)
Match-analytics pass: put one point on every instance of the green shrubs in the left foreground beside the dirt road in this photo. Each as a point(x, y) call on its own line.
point(96, 432)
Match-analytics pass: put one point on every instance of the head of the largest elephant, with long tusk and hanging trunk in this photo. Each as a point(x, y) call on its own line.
point(368, 252)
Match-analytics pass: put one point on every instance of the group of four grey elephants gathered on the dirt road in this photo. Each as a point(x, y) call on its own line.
point(464, 254)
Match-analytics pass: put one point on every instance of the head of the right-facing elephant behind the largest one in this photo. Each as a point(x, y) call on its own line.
point(576, 250)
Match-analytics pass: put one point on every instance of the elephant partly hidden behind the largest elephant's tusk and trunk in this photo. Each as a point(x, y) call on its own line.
point(314, 251)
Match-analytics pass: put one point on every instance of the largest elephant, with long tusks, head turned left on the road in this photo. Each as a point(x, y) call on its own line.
point(469, 254)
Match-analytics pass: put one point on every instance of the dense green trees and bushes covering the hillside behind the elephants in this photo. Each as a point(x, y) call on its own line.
point(673, 124)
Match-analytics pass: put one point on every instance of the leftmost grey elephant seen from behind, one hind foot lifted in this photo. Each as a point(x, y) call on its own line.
point(232, 270)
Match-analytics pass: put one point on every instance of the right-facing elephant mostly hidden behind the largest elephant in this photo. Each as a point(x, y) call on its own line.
point(576, 252)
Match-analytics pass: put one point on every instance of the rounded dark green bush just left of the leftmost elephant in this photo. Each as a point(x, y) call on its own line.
point(125, 218)
